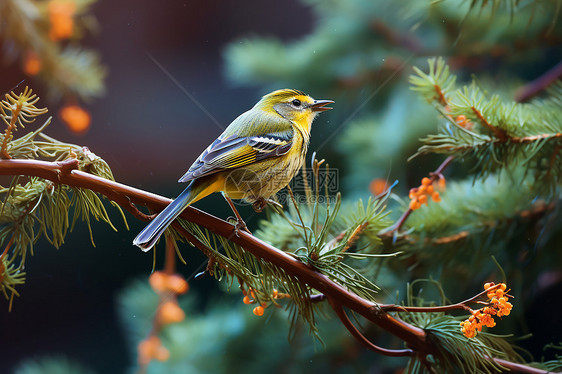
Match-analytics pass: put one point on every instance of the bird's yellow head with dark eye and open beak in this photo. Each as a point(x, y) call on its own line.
point(294, 105)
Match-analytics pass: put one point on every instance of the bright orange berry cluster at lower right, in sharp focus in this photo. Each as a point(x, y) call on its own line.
point(497, 306)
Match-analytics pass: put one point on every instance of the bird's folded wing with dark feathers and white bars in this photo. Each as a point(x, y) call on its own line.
point(232, 150)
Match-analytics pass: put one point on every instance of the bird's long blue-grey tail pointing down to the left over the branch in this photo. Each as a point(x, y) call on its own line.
point(152, 232)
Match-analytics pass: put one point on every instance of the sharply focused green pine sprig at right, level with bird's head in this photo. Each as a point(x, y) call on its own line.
point(494, 133)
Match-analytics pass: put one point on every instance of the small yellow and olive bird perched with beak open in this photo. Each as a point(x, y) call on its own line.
point(256, 156)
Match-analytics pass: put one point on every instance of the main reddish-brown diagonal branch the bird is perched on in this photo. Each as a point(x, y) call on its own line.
point(126, 196)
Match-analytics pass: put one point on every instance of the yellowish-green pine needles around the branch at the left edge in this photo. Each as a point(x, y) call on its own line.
point(33, 207)
